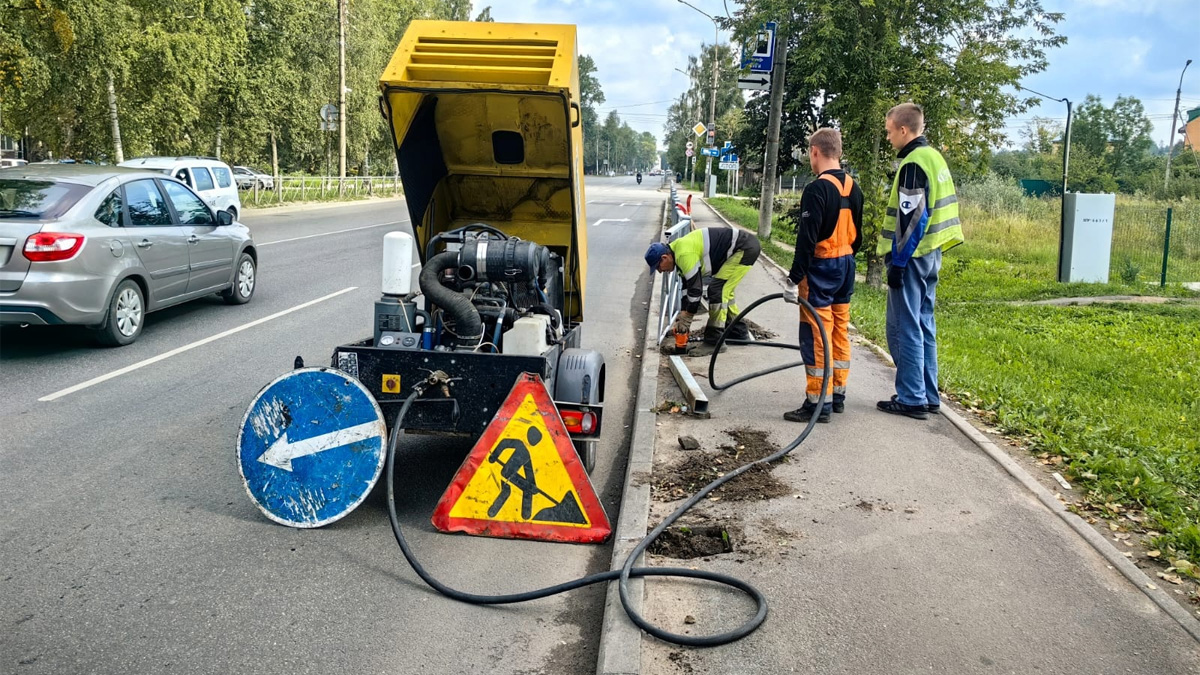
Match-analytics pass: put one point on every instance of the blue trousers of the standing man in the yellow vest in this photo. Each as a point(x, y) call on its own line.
point(913, 332)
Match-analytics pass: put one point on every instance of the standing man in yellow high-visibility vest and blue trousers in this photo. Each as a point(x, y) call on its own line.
point(922, 222)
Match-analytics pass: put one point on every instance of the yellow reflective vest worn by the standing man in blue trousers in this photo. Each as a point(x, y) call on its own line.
point(944, 230)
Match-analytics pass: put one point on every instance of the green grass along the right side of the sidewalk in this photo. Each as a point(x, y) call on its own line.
point(1108, 391)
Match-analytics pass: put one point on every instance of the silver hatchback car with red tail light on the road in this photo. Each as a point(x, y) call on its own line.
point(103, 247)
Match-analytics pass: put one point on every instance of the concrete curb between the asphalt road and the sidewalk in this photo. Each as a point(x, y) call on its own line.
point(621, 641)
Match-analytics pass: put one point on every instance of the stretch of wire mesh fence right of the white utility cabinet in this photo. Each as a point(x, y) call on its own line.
point(1156, 243)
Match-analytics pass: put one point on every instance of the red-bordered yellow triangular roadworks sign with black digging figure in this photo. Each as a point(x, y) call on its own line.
point(524, 480)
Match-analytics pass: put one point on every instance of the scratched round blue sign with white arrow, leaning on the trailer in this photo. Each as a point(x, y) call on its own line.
point(311, 447)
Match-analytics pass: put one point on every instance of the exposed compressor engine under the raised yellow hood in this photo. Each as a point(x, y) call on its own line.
point(485, 291)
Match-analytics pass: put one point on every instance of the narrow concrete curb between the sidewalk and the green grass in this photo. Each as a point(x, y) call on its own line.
point(1129, 570)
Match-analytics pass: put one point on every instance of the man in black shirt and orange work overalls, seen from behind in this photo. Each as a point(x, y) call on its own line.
point(829, 235)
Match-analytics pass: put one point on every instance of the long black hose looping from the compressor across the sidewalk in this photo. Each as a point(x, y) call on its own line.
point(627, 571)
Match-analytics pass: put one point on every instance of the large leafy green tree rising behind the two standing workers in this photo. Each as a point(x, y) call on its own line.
point(850, 62)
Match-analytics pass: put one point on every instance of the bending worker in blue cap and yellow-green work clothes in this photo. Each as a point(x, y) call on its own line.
point(725, 254)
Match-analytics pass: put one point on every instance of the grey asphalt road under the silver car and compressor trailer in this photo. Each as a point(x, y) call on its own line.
point(129, 543)
